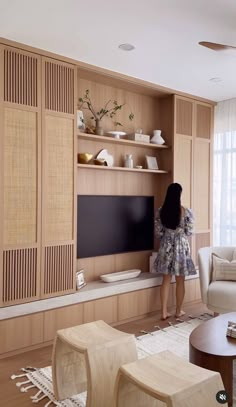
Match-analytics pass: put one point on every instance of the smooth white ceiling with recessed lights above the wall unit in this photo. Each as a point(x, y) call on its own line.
point(165, 34)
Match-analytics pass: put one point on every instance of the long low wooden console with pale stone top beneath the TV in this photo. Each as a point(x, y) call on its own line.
point(115, 303)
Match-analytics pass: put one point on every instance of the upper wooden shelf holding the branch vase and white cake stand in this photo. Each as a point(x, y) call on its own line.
point(108, 139)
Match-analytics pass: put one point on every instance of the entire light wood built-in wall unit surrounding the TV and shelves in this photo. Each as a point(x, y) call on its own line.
point(40, 180)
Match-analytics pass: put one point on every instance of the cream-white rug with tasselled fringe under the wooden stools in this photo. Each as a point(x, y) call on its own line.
point(174, 338)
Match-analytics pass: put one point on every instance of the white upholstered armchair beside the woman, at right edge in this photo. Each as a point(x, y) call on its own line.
point(219, 296)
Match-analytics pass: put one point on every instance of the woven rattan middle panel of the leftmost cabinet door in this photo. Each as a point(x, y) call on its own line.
point(20, 177)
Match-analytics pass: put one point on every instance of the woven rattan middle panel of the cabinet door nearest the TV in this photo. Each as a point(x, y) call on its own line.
point(59, 179)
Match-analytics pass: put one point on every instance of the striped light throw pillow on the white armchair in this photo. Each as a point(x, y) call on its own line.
point(223, 269)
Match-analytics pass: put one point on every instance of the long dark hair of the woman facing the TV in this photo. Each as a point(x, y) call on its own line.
point(171, 209)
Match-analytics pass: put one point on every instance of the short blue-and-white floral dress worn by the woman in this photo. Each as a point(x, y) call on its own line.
point(174, 256)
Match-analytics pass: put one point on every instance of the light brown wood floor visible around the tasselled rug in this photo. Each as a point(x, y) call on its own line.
point(10, 395)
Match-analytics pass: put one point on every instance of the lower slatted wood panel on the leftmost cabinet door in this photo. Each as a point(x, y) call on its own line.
point(19, 275)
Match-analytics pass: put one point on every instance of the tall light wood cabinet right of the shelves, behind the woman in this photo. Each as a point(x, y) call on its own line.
point(192, 163)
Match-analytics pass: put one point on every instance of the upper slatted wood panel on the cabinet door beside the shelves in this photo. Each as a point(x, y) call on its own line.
point(59, 87)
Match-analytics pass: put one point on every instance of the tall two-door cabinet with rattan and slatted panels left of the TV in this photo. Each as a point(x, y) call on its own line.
point(37, 177)
